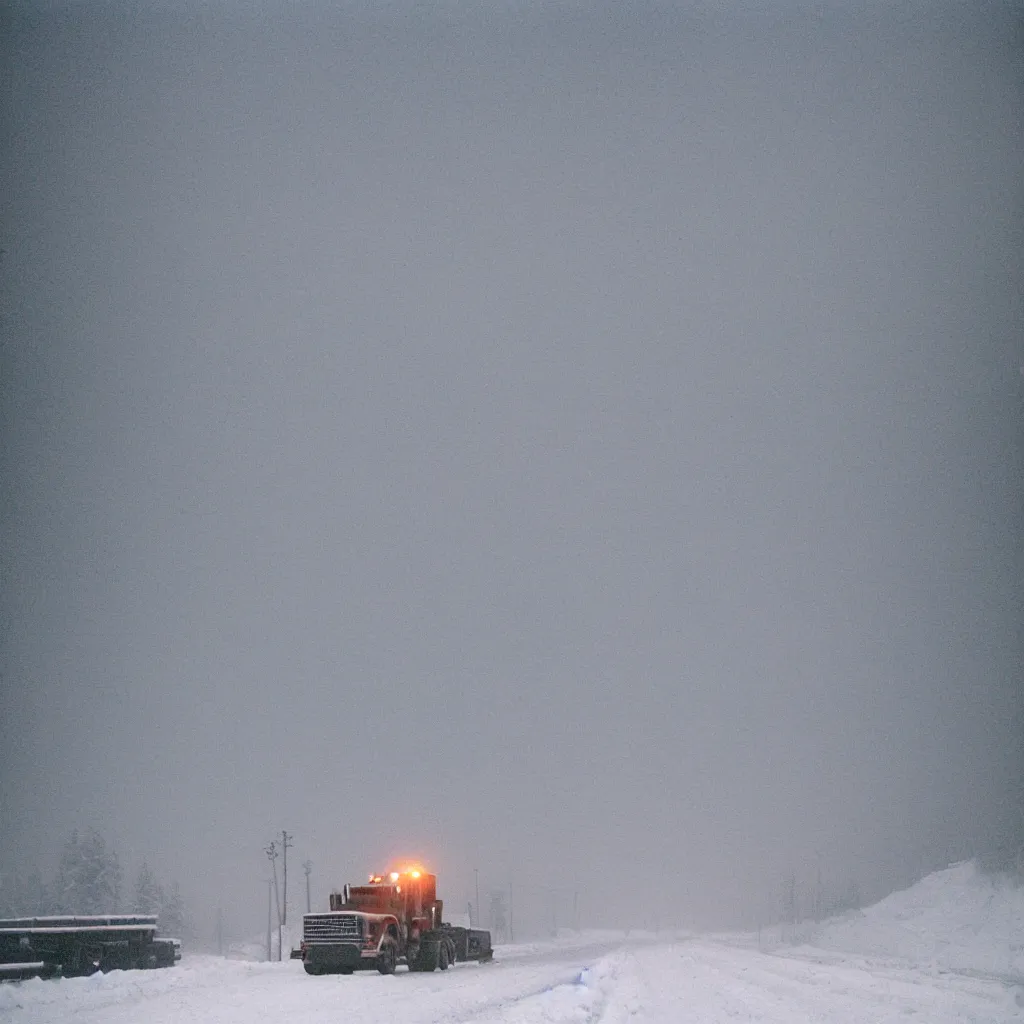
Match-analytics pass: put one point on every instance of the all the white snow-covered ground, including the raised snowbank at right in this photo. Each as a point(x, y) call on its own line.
point(942, 952)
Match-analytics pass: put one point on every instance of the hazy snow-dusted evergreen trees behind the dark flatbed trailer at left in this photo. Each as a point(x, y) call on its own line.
point(90, 881)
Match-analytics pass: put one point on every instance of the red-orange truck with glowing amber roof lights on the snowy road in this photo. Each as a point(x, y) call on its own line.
point(394, 919)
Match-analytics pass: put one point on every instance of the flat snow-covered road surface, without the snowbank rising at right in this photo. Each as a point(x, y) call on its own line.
point(649, 984)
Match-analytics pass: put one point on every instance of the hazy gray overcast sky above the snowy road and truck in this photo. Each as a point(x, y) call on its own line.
point(583, 444)
